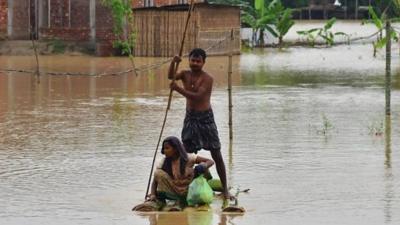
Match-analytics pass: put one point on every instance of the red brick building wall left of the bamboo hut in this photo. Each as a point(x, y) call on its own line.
point(69, 20)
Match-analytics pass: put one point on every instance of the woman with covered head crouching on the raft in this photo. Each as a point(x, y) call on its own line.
point(175, 172)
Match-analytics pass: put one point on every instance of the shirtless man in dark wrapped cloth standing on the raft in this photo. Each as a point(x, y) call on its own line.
point(199, 128)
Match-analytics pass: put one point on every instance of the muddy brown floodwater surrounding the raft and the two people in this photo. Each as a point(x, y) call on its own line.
point(311, 139)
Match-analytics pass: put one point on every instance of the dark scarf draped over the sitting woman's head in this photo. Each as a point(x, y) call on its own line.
point(183, 157)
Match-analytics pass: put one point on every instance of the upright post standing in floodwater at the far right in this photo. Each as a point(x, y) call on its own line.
point(388, 65)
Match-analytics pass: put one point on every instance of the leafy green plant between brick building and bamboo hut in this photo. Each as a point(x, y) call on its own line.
point(122, 14)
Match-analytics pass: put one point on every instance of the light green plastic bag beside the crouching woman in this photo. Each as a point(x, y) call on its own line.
point(200, 192)
